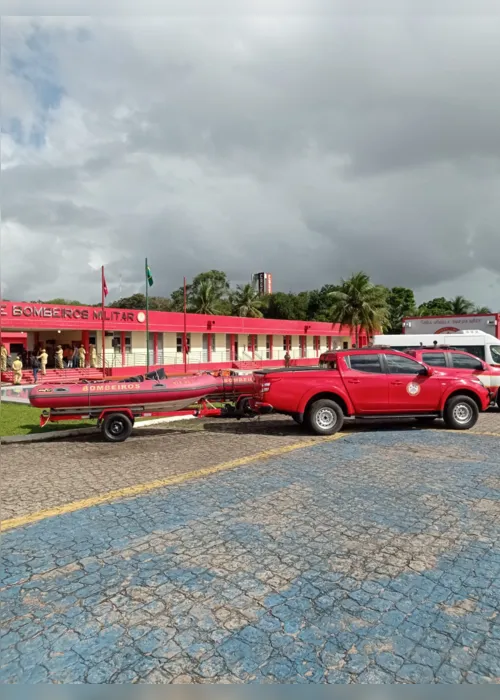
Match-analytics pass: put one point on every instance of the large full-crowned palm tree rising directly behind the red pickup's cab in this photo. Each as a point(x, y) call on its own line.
point(360, 305)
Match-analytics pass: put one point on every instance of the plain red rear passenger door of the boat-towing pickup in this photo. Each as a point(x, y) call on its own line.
point(366, 382)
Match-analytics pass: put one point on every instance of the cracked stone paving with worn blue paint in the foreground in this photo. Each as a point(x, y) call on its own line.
point(372, 559)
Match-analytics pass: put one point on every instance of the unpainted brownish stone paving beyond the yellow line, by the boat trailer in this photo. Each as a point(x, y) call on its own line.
point(38, 476)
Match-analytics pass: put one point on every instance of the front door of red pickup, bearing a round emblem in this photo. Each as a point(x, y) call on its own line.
point(409, 390)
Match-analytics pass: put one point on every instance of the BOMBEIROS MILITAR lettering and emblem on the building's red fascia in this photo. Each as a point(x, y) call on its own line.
point(75, 313)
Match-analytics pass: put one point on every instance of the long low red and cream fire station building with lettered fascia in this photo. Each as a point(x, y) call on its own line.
point(212, 341)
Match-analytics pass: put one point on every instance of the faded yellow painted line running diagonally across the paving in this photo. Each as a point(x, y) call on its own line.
point(138, 489)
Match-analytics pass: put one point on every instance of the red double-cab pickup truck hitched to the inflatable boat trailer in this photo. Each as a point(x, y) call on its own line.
point(370, 384)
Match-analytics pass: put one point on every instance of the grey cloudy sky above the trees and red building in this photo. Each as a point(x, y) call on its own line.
point(309, 145)
